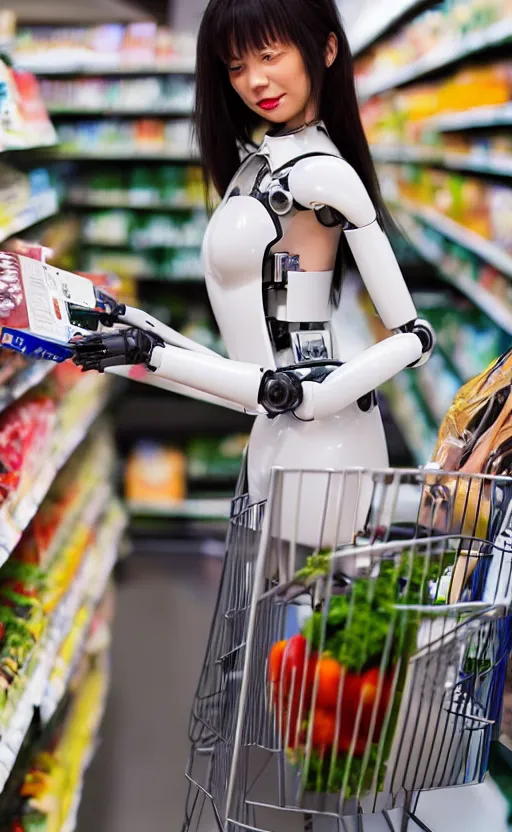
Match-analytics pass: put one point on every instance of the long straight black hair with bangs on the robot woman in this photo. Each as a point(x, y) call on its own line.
point(223, 122)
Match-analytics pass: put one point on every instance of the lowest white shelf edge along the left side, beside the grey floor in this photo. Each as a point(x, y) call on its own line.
point(59, 627)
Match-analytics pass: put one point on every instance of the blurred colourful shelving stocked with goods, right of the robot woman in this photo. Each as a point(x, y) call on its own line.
point(436, 92)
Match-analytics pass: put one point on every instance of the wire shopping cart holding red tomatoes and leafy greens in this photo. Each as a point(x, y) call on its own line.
point(343, 679)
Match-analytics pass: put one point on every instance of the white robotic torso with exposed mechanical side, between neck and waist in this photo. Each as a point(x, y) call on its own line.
point(269, 308)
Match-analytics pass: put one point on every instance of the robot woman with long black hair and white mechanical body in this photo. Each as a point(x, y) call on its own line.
point(295, 212)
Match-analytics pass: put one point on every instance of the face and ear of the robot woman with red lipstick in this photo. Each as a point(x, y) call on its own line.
point(274, 83)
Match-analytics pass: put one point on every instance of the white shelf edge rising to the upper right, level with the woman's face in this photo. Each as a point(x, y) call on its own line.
point(438, 58)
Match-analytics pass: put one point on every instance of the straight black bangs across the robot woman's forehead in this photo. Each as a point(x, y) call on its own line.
point(250, 25)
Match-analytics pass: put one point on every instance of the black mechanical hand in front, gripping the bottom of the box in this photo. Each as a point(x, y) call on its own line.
point(128, 346)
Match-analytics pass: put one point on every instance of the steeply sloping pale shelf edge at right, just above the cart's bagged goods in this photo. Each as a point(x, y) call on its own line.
point(495, 309)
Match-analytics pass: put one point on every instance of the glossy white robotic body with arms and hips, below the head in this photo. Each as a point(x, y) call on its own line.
point(329, 429)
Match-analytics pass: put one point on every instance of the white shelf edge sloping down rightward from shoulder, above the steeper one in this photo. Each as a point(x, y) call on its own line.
point(485, 249)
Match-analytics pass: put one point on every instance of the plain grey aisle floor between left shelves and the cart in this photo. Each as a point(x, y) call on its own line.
point(136, 781)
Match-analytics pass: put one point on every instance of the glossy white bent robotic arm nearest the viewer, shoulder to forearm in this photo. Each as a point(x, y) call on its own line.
point(327, 180)
